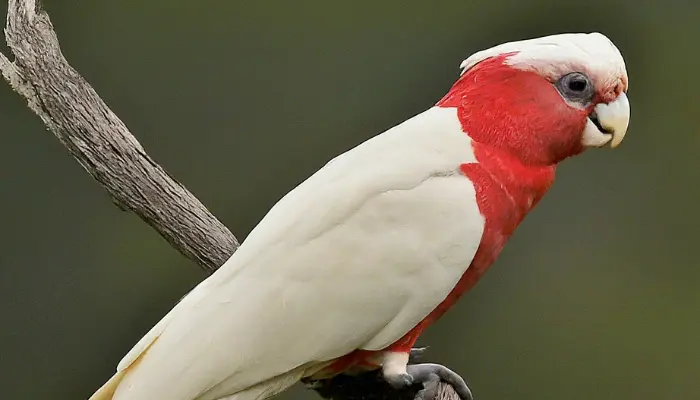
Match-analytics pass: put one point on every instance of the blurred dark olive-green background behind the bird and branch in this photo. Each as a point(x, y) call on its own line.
point(595, 297)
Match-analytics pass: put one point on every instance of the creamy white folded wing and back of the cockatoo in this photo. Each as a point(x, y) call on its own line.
point(354, 257)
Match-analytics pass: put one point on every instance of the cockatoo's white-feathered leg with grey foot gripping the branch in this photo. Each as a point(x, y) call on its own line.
point(399, 374)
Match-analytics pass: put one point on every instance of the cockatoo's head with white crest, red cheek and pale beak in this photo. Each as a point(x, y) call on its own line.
point(545, 99)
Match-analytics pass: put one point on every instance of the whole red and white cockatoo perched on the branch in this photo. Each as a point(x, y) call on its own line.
point(346, 270)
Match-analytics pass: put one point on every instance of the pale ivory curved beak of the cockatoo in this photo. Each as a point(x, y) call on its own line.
point(608, 123)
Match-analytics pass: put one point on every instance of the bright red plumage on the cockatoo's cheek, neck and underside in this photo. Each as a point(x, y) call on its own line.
point(520, 128)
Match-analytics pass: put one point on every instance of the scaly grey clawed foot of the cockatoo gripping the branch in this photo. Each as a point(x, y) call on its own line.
point(431, 374)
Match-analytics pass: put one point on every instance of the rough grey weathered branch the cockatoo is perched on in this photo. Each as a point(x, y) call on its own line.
point(72, 110)
